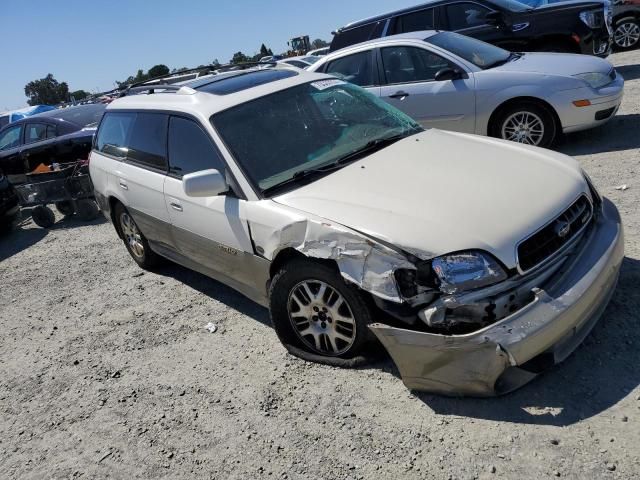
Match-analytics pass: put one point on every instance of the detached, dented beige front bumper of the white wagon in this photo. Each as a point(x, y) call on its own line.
point(506, 355)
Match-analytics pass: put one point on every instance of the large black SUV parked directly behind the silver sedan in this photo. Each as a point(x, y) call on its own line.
point(575, 27)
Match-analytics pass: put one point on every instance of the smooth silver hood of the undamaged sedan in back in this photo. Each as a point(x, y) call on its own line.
point(556, 64)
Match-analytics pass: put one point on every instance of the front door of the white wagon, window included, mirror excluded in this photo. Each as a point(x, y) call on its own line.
point(210, 231)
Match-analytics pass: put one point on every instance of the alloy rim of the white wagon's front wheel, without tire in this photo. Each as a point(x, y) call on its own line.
point(321, 317)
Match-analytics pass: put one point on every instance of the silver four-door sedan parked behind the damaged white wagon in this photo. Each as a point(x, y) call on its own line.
point(449, 81)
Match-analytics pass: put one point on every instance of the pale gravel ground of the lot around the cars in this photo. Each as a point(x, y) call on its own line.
point(107, 371)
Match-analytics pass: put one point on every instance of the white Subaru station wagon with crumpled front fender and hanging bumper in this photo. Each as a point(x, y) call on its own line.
point(477, 263)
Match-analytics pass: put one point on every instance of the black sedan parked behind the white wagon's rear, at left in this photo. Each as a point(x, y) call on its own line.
point(57, 136)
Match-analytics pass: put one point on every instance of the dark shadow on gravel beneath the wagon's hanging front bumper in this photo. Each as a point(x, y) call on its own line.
point(599, 374)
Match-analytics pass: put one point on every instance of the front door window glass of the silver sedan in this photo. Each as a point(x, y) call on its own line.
point(411, 64)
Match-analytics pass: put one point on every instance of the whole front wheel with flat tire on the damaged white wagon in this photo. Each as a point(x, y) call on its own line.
point(316, 315)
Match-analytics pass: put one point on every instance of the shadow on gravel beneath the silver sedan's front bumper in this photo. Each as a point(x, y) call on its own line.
point(621, 133)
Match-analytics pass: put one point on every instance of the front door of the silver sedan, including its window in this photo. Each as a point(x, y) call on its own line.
point(409, 84)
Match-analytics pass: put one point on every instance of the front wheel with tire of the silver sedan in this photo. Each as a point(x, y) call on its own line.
point(525, 122)
